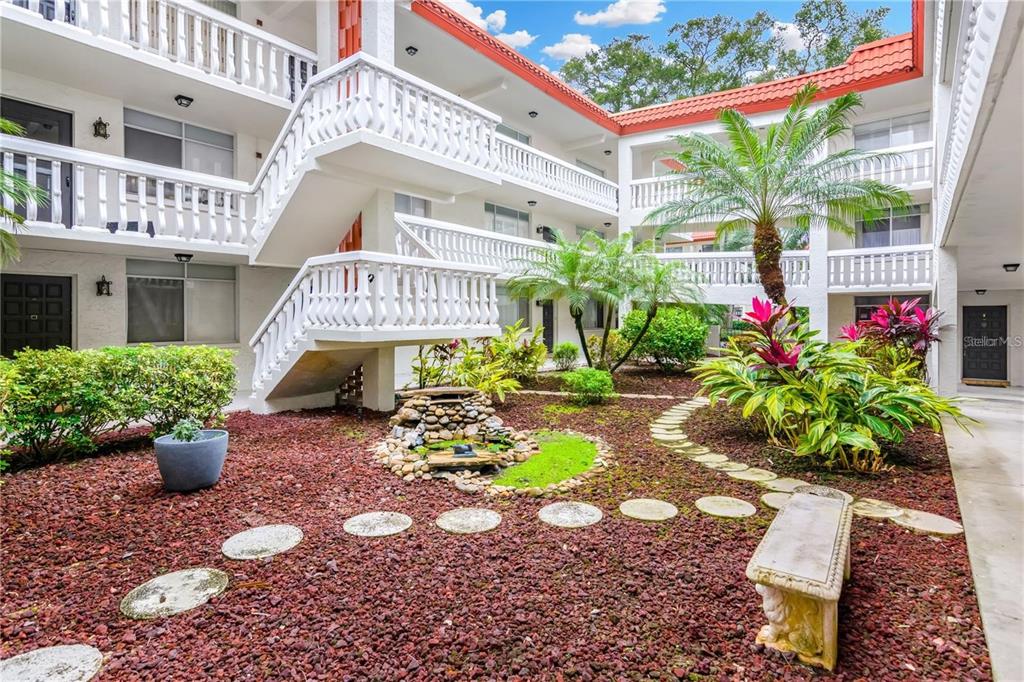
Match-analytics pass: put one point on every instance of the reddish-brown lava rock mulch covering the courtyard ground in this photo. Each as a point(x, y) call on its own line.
point(618, 601)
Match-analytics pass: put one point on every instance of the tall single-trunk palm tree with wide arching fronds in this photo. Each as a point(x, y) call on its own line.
point(759, 184)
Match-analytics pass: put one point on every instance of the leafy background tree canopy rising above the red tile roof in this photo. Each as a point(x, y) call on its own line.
point(713, 54)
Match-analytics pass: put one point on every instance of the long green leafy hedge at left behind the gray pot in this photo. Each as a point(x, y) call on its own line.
point(61, 402)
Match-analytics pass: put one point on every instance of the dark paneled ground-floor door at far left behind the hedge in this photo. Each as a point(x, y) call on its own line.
point(36, 313)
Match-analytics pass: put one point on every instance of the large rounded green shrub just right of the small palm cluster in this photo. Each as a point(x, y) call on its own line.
point(676, 337)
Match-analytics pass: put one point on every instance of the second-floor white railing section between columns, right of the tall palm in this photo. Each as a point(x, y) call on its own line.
point(884, 269)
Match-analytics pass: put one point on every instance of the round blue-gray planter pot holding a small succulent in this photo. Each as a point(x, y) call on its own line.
point(191, 466)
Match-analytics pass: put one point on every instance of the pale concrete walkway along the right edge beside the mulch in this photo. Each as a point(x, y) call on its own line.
point(989, 472)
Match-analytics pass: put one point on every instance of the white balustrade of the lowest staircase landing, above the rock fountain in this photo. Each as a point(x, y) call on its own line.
point(361, 291)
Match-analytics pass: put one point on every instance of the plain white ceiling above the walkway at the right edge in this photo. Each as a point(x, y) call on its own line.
point(989, 225)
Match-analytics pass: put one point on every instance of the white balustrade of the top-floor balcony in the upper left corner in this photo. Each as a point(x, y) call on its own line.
point(189, 33)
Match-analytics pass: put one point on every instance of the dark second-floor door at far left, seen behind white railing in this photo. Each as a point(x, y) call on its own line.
point(46, 125)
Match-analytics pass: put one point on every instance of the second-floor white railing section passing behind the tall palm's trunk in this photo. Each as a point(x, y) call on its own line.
point(738, 269)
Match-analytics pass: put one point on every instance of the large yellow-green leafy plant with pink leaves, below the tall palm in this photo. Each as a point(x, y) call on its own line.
point(820, 400)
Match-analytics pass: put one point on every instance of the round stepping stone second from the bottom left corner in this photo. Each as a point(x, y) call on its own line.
point(174, 593)
